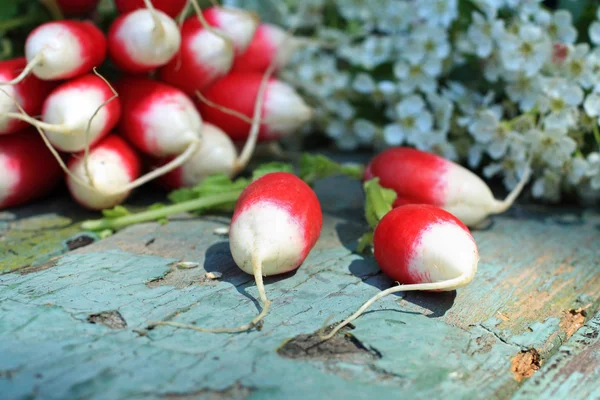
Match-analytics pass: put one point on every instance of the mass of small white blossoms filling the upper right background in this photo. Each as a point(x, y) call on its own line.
point(497, 84)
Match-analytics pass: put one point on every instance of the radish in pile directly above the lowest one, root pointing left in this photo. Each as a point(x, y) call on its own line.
point(69, 108)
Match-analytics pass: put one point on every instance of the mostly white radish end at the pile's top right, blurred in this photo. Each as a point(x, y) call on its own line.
point(239, 25)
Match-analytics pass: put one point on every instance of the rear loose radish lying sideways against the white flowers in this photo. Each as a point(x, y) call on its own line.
point(420, 177)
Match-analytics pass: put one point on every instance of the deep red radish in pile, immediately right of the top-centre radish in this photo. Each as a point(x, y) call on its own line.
point(203, 58)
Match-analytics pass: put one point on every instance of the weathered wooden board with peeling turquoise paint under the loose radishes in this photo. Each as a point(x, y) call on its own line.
point(62, 338)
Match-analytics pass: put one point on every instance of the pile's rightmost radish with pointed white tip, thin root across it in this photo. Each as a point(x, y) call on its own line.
point(283, 111)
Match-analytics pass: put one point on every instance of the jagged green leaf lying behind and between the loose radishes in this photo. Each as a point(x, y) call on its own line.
point(315, 167)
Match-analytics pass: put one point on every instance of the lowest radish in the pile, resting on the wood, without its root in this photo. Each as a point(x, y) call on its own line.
point(112, 165)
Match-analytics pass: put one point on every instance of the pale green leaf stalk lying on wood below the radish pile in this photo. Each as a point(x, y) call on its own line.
point(153, 215)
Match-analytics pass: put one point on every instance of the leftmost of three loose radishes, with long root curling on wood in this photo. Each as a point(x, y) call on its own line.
point(276, 222)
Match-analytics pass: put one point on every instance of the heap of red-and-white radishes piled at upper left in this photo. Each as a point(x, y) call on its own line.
point(174, 60)
